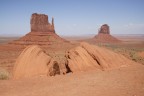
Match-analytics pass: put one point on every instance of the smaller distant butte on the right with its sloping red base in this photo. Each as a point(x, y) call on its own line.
point(104, 36)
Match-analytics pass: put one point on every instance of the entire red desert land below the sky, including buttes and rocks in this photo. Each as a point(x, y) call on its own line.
point(42, 63)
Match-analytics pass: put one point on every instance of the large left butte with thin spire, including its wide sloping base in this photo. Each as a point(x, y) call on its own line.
point(42, 32)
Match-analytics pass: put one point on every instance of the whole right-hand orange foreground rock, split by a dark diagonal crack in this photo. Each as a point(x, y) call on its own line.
point(89, 57)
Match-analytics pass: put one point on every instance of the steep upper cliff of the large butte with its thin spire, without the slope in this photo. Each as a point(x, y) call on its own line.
point(40, 23)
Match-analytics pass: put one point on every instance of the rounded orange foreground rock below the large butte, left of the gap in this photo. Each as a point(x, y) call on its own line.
point(33, 61)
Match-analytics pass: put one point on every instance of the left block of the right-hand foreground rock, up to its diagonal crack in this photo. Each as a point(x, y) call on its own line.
point(80, 60)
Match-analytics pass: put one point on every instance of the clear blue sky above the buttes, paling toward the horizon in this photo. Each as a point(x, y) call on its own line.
point(74, 17)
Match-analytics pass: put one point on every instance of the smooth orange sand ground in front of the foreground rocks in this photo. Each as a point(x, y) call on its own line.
point(127, 81)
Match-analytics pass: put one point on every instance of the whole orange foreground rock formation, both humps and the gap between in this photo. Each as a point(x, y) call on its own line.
point(33, 61)
